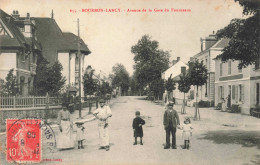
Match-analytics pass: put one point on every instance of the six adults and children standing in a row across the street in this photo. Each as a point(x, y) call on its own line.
point(171, 123)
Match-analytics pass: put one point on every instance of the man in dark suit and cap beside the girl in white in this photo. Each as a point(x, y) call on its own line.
point(170, 122)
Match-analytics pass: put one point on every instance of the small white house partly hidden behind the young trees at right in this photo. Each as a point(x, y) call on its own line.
point(174, 72)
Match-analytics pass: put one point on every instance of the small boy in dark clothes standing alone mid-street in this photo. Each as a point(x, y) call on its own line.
point(137, 126)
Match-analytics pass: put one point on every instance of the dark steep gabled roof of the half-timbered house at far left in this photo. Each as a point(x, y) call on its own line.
point(18, 39)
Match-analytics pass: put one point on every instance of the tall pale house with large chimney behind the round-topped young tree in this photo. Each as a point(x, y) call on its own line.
point(210, 48)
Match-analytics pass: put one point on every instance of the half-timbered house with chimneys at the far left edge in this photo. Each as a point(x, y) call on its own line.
point(19, 49)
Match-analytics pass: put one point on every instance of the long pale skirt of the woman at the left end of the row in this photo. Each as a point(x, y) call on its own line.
point(65, 138)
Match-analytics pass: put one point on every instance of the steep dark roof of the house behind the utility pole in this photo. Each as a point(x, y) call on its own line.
point(54, 40)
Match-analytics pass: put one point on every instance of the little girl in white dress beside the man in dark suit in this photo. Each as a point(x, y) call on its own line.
point(187, 133)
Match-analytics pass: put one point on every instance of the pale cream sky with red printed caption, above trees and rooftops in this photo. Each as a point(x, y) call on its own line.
point(110, 35)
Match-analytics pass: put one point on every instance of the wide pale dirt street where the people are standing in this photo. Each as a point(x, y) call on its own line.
point(218, 138)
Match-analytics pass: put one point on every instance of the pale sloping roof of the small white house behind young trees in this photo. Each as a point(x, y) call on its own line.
point(174, 70)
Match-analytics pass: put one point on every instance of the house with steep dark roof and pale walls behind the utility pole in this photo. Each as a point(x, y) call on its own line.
point(65, 47)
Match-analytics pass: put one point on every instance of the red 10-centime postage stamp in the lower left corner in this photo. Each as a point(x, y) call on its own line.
point(23, 140)
